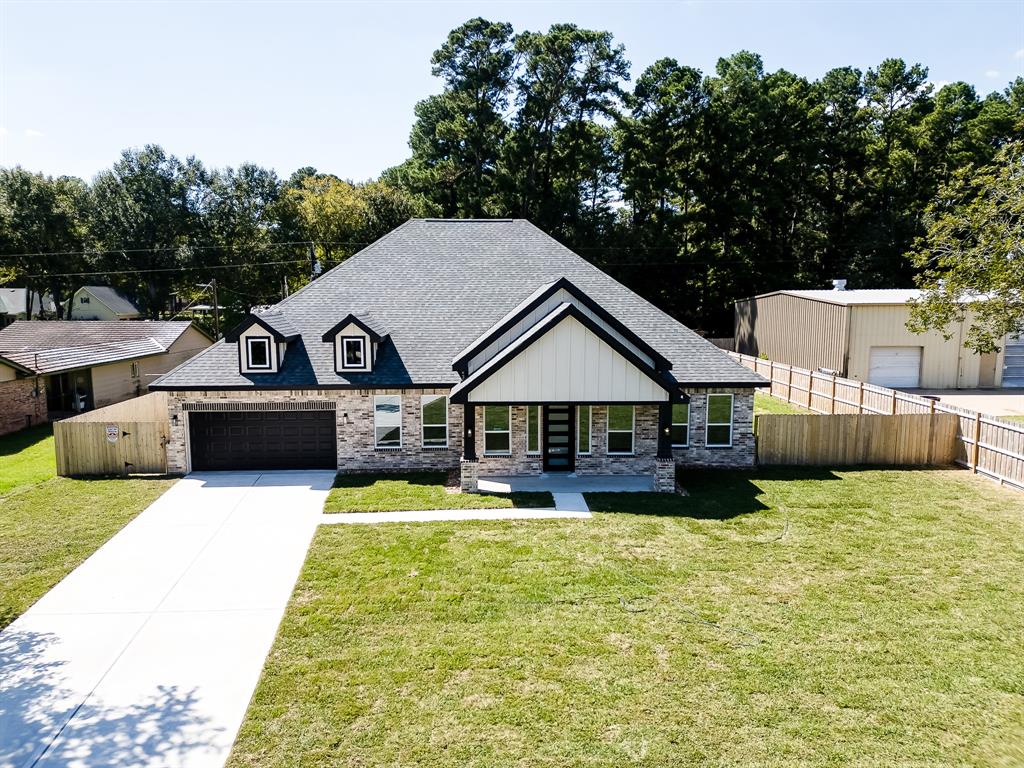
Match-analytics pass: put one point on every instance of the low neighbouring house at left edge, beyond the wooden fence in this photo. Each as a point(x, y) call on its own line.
point(54, 368)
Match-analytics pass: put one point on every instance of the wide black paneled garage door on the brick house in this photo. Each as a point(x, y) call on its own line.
point(263, 440)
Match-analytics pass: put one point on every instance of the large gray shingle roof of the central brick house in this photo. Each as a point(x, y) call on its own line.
point(436, 286)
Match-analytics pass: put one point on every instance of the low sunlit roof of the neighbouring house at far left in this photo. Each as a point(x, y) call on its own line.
point(52, 347)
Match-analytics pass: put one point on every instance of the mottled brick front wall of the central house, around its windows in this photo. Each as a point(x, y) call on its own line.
point(355, 416)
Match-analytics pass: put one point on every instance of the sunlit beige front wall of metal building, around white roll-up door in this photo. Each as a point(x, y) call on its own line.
point(944, 364)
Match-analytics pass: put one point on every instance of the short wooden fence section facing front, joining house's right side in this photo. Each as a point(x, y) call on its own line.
point(849, 440)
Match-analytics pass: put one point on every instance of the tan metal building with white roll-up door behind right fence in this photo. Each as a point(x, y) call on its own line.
point(863, 335)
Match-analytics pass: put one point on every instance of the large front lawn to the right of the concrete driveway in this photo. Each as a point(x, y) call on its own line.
point(771, 619)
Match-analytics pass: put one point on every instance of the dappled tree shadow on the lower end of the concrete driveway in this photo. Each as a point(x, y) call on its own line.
point(37, 706)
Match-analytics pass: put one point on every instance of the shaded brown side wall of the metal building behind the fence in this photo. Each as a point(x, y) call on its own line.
point(798, 331)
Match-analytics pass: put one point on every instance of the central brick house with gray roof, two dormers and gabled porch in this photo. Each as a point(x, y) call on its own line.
point(481, 345)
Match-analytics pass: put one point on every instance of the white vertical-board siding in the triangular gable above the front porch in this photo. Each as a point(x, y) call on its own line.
point(570, 364)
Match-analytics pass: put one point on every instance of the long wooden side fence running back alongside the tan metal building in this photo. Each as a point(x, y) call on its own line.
point(986, 445)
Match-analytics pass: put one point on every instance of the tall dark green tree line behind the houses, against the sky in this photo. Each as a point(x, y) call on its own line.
point(694, 189)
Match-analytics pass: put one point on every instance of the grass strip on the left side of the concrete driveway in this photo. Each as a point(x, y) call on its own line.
point(49, 525)
